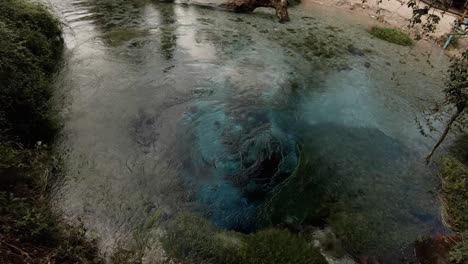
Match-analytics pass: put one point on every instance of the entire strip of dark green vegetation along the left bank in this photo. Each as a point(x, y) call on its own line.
point(31, 48)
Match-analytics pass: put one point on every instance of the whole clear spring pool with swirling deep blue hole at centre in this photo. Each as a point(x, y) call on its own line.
point(246, 121)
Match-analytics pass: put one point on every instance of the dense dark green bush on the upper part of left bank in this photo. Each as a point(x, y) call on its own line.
point(30, 49)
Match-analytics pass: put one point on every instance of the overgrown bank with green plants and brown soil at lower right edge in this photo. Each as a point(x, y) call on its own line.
point(453, 193)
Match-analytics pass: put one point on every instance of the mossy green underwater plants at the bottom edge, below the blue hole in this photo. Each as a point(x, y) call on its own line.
point(192, 238)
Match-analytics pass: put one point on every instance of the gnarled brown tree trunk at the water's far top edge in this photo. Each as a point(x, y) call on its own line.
point(246, 6)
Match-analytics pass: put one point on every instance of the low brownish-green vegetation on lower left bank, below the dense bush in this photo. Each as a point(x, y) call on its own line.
point(30, 231)
